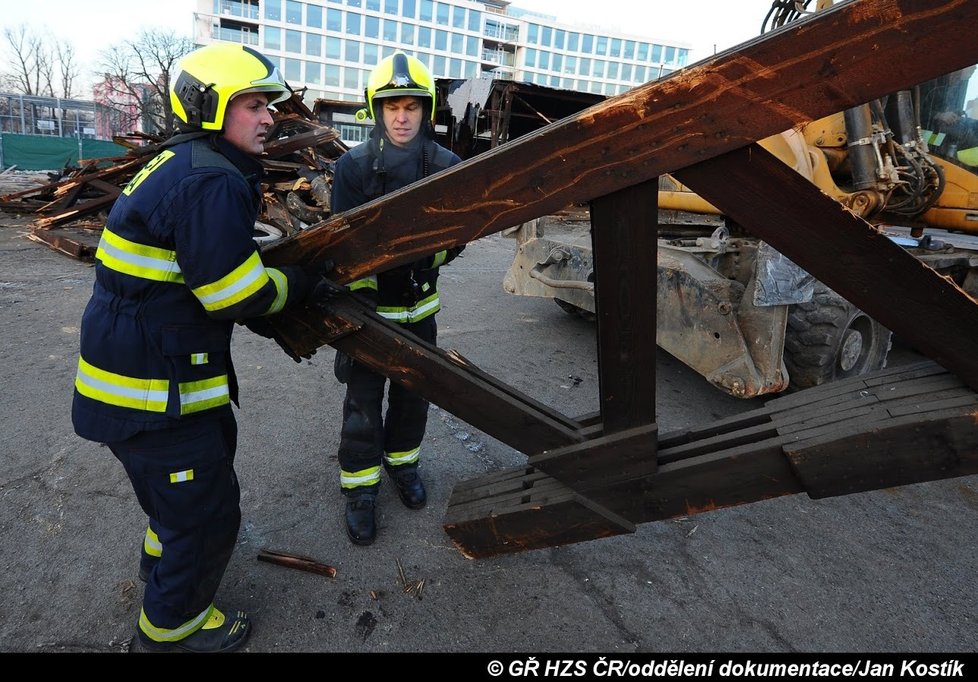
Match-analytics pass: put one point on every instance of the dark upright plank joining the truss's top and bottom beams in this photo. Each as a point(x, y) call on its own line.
point(623, 231)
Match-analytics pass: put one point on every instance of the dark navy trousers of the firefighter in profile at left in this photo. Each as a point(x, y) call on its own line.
point(196, 520)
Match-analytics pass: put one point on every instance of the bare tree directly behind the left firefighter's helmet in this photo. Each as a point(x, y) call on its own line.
point(137, 78)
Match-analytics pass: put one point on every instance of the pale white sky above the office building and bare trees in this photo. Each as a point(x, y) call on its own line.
point(707, 26)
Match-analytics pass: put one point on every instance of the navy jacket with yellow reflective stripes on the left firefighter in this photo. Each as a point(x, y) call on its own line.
point(176, 266)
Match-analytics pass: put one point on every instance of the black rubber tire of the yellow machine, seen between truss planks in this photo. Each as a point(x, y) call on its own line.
point(830, 339)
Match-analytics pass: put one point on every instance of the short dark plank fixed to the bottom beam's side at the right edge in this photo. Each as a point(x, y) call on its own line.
point(903, 450)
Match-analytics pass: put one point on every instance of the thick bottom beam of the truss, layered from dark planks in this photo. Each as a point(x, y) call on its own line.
point(902, 425)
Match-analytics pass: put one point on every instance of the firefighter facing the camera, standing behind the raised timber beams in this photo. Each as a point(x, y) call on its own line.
point(400, 97)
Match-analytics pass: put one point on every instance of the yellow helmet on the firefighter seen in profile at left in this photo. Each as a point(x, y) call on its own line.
point(210, 77)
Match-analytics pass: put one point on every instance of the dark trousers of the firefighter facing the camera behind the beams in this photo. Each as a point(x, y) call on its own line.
point(367, 433)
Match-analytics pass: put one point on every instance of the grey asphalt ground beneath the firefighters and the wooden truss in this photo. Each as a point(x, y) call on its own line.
point(886, 571)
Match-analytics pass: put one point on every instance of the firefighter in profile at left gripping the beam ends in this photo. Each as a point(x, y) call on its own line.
point(176, 267)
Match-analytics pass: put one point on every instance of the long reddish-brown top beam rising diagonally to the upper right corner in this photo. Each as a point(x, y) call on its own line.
point(697, 113)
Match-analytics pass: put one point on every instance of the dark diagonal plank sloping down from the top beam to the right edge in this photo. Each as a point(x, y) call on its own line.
point(860, 263)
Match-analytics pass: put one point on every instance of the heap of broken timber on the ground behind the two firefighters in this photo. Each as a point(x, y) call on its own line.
point(69, 212)
